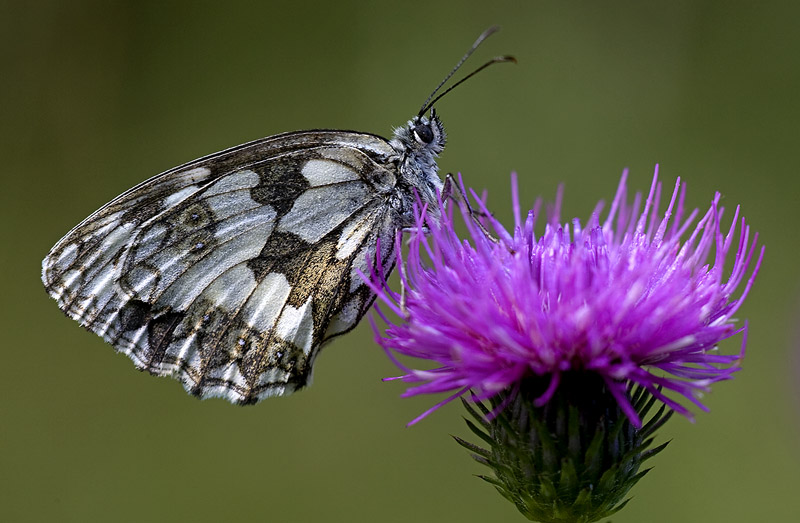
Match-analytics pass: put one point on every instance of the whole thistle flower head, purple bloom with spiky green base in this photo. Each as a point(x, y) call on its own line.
point(560, 345)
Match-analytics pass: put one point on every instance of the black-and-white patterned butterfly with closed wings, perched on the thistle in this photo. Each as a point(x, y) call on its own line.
point(230, 272)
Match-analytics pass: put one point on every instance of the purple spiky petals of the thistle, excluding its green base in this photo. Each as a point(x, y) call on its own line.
point(638, 298)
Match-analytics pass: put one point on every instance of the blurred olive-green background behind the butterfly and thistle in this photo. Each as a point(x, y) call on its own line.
point(97, 96)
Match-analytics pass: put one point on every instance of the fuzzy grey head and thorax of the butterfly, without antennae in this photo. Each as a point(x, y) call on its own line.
point(418, 143)
